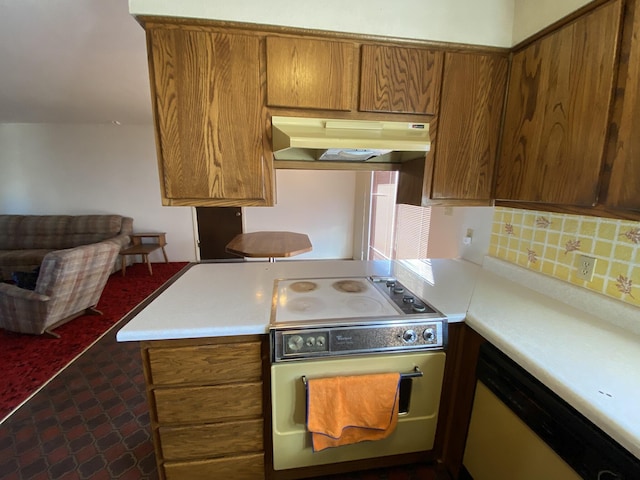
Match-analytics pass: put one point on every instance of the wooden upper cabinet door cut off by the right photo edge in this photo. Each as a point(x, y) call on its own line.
point(623, 189)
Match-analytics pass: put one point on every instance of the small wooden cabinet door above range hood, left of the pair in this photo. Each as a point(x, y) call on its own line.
point(308, 73)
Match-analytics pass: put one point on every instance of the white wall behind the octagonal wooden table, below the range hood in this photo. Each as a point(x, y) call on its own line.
point(319, 203)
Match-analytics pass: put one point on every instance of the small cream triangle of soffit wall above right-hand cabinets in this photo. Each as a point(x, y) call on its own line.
point(532, 16)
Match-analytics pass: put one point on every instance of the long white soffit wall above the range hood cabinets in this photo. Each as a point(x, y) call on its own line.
point(486, 22)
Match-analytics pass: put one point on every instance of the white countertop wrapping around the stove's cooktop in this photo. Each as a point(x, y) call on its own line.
point(222, 299)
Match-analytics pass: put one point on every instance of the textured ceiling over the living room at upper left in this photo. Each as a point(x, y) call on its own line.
point(72, 61)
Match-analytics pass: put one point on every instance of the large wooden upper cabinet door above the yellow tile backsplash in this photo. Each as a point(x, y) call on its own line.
point(557, 112)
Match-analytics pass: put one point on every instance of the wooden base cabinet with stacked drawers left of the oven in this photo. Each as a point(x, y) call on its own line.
point(206, 401)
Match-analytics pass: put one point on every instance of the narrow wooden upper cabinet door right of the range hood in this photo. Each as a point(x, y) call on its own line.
point(468, 126)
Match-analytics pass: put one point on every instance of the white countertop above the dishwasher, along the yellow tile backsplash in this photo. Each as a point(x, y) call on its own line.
point(590, 362)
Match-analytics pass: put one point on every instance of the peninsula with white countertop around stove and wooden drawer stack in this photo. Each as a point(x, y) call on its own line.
point(206, 355)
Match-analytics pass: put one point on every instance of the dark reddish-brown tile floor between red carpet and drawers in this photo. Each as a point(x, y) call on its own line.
point(91, 422)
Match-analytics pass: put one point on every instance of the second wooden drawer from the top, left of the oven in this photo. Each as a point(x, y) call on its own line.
point(208, 404)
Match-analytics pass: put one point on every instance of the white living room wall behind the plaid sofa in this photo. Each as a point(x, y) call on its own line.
point(90, 169)
